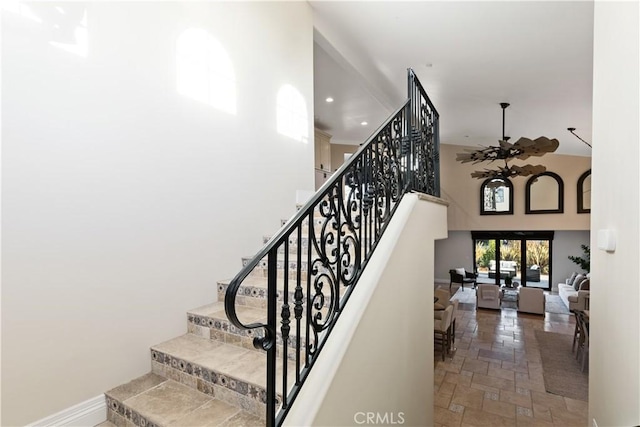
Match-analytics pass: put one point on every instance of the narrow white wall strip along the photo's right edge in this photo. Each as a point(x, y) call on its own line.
point(614, 360)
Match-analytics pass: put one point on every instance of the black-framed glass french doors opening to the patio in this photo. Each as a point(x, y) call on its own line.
point(517, 256)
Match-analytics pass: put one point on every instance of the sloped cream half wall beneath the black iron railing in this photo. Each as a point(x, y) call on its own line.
point(380, 356)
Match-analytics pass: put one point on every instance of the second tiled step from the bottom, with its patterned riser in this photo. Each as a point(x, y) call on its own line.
point(233, 374)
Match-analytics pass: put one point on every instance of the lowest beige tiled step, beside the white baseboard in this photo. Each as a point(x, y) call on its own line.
point(153, 400)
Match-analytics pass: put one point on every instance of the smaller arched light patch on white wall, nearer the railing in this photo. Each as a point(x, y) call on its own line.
point(291, 111)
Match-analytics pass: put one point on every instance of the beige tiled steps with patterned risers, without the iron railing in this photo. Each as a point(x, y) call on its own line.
point(212, 375)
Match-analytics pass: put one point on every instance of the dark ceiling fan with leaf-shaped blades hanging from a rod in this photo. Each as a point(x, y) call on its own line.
point(522, 149)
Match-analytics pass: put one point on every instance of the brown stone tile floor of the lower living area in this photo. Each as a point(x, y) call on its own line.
point(495, 375)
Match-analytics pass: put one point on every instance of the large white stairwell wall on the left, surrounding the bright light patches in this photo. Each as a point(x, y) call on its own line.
point(123, 201)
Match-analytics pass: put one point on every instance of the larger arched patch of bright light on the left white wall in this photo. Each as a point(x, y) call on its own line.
point(204, 71)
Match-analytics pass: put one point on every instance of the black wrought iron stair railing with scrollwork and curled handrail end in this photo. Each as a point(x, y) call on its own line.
point(315, 260)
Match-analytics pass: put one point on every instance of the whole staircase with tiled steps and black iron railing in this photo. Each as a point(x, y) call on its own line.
point(295, 288)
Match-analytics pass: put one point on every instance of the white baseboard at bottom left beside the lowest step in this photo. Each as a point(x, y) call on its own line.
point(86, 414)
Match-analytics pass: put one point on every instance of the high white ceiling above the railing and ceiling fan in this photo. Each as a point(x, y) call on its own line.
point(469, 56)
